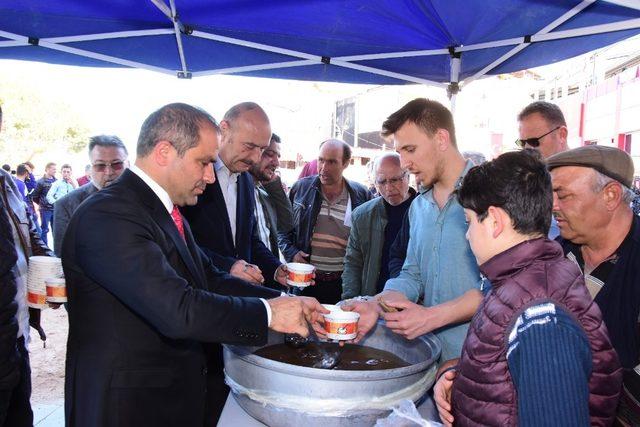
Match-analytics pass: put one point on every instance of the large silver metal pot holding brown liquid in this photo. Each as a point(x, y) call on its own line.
point(280, 394)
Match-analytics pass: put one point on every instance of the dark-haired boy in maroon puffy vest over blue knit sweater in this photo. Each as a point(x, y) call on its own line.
point(537, 351)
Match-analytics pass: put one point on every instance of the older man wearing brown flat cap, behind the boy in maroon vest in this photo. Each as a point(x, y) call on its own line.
point(600, 233)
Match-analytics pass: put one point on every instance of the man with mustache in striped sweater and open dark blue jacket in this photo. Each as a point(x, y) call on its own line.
point(322, 206)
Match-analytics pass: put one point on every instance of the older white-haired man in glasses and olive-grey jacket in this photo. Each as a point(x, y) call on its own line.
point(374, 228)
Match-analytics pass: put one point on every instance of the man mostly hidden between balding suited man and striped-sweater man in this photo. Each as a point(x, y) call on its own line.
point(273, 208)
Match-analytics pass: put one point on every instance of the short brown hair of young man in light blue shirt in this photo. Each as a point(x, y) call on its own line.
point(425, 113)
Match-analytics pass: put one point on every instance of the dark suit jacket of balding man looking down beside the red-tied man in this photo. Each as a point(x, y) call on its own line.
point(209, 221)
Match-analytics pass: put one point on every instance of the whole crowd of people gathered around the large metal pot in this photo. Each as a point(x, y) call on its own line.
point(526, 267)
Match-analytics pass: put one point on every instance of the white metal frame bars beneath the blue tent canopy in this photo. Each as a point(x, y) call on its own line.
point(455, 53)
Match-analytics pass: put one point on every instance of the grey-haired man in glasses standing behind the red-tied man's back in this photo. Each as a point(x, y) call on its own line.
point(108, 157)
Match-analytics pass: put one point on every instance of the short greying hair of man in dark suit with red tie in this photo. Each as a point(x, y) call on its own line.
point(176, 123)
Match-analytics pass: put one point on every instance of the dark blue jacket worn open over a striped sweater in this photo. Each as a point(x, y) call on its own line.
point(306, 198)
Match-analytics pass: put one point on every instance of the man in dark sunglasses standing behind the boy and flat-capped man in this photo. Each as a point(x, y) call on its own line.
point(541, 126)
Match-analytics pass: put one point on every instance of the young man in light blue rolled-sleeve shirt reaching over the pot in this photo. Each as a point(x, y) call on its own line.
point(440, 268)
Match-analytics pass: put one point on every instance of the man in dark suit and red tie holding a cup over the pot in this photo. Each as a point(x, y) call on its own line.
point(142, 295)
